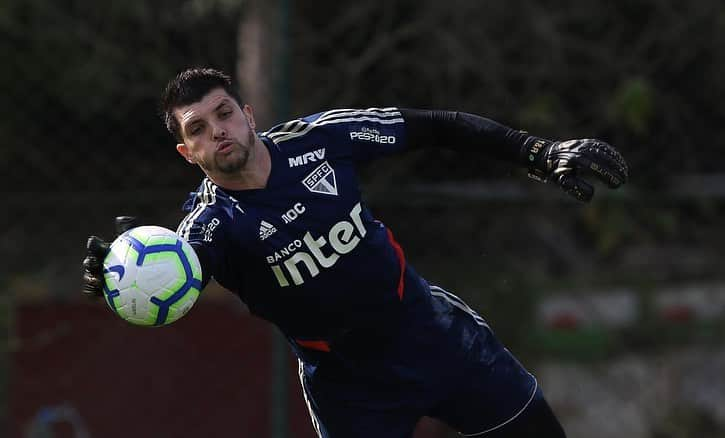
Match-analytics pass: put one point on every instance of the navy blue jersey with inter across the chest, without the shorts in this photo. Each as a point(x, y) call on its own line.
point(305, 252)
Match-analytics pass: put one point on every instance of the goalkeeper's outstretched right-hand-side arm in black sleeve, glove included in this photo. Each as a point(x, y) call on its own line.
point(561, 162)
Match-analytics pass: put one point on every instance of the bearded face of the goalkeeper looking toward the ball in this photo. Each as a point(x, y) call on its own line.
point(218, 135)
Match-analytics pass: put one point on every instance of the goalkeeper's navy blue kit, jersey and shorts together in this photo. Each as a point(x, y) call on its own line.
point(306, 254)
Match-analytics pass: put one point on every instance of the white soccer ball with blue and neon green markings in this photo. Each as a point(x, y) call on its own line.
point(152, 276)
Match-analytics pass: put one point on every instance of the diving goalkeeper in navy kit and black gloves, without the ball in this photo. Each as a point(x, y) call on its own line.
point(279, 221)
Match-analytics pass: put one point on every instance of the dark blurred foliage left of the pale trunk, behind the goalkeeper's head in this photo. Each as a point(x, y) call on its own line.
point(81, 80)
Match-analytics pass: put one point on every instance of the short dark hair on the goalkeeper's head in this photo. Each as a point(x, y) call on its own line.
point(190, 86)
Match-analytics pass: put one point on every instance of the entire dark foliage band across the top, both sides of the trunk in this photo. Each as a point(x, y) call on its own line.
point(82, 78)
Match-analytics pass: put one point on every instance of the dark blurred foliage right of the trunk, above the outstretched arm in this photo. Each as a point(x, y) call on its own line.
point(644, 74)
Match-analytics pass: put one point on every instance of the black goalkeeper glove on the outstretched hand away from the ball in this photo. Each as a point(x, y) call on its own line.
point(565, 162)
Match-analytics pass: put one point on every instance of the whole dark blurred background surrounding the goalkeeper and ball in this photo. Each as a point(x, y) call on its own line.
point(618, 306)
